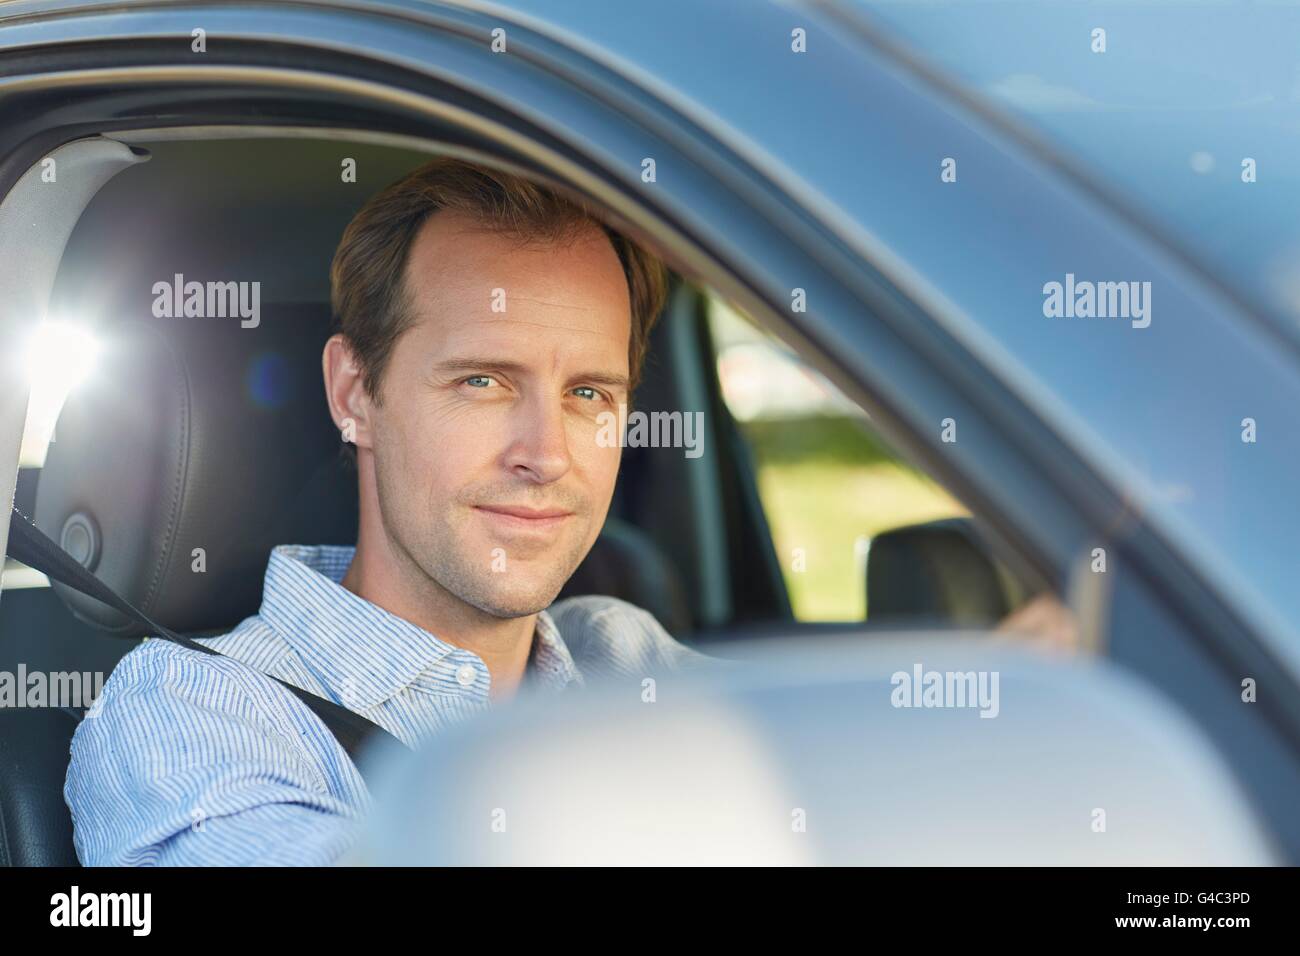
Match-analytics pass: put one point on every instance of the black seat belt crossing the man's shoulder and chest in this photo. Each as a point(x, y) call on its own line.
point(33, 548)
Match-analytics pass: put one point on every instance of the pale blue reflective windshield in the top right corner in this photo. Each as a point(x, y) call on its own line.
point(1188, 113)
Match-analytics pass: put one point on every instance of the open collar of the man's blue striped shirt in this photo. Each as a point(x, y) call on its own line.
point(365, 654)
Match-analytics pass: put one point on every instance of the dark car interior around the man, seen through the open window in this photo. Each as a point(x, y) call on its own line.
point(197, 445)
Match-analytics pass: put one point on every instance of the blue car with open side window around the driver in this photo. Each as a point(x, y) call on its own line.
point(870, 232)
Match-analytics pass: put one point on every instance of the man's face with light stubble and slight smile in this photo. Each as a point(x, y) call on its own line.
point(488, 468)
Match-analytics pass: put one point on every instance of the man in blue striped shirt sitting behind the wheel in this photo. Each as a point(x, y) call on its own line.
point(484, 326)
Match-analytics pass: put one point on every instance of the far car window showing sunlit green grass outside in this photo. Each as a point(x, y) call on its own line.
point(827, 482)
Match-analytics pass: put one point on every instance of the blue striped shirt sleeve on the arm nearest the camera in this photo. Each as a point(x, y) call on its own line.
point(196, 760)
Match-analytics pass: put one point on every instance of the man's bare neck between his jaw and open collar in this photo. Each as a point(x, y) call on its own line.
point(395, 583)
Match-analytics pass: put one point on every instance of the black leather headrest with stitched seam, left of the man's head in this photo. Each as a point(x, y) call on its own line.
point(196, 448)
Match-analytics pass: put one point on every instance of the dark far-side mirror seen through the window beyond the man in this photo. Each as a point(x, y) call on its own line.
point(941, 573)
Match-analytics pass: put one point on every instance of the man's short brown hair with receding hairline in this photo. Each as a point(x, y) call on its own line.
point(367, 280)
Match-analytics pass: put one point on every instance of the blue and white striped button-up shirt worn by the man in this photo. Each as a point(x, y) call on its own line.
point(188, 759)
